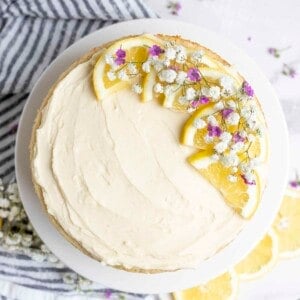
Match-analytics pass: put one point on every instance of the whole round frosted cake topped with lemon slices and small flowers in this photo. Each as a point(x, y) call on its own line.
point(150, 153)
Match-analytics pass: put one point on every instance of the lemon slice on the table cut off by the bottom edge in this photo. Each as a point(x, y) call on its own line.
point(224, 287)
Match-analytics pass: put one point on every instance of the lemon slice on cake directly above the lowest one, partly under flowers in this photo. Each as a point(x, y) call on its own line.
point(190, 135)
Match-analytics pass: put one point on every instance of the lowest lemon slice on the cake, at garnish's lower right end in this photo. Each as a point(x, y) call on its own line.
point(243, 198)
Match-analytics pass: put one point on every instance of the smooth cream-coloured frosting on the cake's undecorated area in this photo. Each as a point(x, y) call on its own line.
point(115, 177)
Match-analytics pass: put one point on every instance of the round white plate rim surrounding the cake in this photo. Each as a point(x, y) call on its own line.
point(230, 255)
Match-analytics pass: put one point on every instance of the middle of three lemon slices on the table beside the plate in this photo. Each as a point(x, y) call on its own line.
point(261, 259)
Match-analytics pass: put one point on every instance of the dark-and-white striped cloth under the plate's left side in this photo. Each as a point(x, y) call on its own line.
point(32, 34)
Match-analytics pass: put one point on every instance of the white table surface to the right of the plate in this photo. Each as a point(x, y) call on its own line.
point(269, 24)
